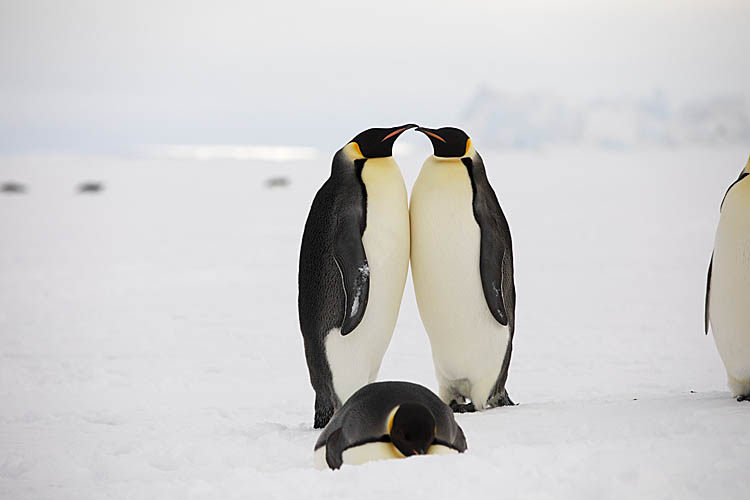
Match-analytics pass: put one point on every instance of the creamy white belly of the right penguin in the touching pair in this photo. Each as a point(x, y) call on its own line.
point(468, 344)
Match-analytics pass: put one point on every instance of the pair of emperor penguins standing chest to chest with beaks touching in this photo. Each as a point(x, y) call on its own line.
point(356, 247)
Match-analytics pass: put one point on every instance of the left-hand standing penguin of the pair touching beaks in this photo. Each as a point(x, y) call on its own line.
point(352, 268)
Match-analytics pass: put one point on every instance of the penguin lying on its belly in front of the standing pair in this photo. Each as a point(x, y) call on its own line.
point(388, 420)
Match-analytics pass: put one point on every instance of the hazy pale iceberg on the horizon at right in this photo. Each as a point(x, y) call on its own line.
point(507, 120)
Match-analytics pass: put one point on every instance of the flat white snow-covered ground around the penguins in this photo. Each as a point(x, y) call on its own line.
point(149, 345)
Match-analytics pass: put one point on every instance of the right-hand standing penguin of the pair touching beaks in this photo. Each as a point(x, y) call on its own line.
point(462, 266)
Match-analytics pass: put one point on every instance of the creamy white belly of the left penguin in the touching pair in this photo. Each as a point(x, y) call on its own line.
point(355, 358)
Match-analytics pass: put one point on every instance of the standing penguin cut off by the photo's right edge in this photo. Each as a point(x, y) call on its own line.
point(728, 286)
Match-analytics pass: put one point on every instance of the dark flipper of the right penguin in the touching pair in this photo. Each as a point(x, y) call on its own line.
point(495, 254)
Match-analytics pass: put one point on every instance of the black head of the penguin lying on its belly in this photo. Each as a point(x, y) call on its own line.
point(413, 429)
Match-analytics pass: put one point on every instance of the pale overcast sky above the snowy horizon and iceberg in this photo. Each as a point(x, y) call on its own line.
point(101, 75)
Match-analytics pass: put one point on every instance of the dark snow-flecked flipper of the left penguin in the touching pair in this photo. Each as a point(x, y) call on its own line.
point(351, 260)
